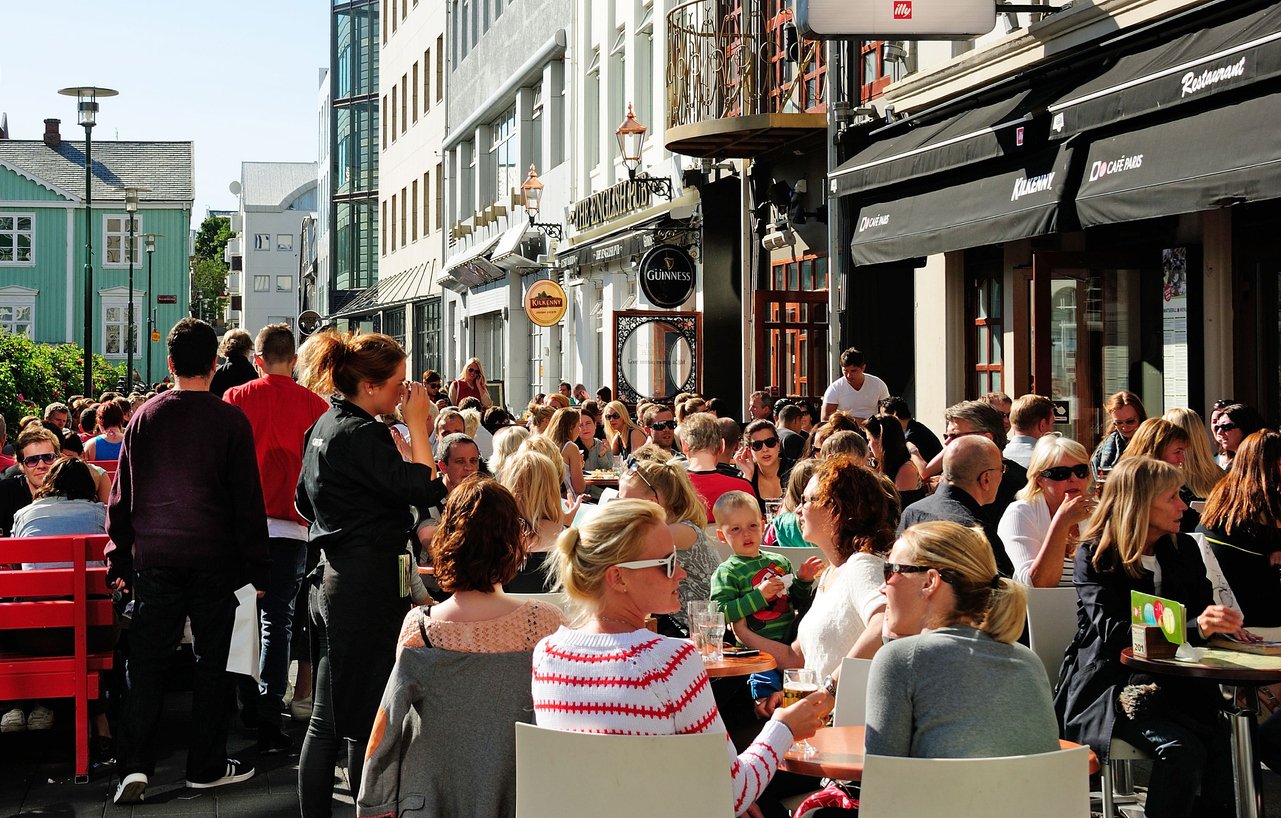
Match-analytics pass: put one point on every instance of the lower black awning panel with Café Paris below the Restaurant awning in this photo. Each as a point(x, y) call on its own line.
point(1212, 159)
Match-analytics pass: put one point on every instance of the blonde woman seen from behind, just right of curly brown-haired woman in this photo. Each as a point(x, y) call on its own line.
point(535, 479)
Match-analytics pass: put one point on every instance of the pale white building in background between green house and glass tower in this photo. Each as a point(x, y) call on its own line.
point(275, 200)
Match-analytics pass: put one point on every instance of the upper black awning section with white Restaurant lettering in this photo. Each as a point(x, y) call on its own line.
point(1191, 68)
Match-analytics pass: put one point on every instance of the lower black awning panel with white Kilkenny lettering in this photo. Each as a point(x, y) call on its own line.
point(997, 204)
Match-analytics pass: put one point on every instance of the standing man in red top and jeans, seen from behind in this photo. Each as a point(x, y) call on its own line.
point(281, 413)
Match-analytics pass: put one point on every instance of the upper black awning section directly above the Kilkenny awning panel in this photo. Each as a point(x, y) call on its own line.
point(1006, 127)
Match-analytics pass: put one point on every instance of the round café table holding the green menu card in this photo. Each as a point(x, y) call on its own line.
point(1244, 673)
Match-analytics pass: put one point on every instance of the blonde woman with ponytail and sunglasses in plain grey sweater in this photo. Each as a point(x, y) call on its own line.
point(958, 686)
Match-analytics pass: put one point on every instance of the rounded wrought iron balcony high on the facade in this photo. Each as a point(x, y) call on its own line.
point(740, 81)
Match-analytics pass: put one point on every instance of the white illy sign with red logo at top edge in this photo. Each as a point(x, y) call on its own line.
point(895, 20)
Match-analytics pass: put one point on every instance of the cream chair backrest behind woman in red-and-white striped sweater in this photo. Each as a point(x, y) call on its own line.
point(576, 774)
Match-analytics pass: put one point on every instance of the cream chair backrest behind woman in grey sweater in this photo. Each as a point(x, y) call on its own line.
point(1047, 785)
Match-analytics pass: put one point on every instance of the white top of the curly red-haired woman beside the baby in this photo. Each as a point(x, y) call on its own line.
point(847, 597)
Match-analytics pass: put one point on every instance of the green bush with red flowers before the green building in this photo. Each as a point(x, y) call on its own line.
point(34, 376)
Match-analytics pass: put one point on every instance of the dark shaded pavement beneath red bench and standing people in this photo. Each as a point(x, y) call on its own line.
point(37, 776)
